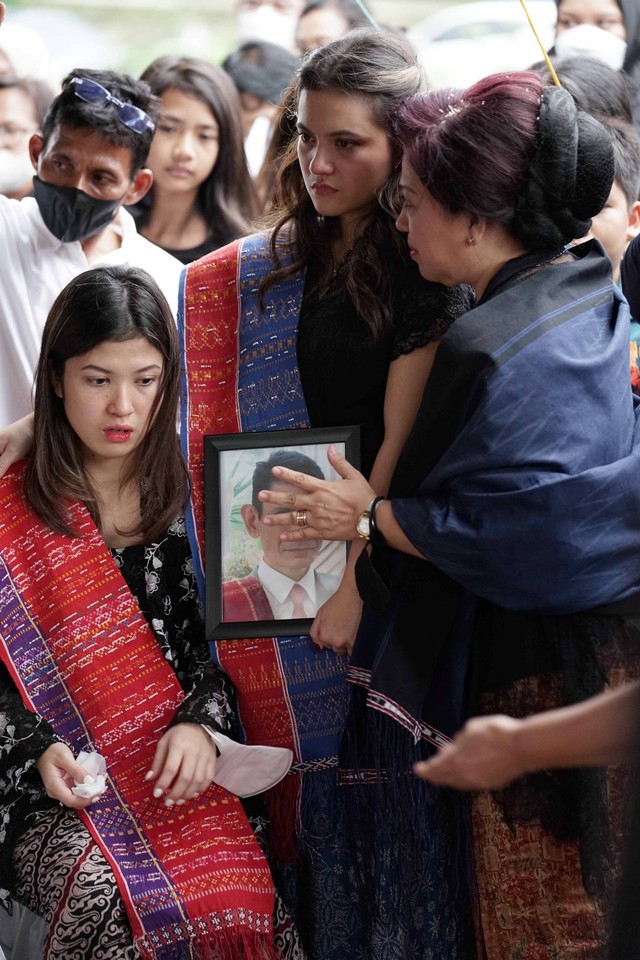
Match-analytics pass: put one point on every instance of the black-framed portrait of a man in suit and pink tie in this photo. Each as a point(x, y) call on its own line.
point(256, 584)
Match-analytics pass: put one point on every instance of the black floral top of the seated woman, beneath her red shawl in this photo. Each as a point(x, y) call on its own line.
point(161, 576)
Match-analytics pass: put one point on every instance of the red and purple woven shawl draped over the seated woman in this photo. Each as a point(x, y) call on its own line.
point(192, 877)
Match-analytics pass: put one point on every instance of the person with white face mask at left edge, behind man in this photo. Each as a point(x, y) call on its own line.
point(23, 104)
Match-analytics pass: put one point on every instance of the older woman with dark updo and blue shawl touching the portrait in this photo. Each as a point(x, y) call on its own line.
point(503, 568)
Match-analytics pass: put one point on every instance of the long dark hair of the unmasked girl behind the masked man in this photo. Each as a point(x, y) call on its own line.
point(227, 198)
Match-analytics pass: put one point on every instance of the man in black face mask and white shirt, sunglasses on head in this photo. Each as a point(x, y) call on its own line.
point(89, 162)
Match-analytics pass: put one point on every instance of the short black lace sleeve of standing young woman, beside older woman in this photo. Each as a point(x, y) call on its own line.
point(424, 311)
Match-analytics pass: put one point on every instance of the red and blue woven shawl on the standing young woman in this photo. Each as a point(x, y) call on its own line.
point(241, 375)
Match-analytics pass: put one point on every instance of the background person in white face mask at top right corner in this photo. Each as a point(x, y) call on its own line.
point(606, 29)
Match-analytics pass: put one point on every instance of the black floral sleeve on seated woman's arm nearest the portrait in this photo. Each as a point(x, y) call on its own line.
point(162, 578)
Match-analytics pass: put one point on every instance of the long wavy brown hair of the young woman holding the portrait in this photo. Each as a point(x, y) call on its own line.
point(382, 70)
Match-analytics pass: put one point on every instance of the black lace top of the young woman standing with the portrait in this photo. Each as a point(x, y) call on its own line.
point(344, 371)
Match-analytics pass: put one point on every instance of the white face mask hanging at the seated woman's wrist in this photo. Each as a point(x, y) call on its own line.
point(246, 769)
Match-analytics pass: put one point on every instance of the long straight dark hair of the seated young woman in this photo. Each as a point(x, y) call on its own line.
point(108, 303)
